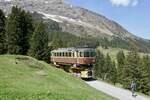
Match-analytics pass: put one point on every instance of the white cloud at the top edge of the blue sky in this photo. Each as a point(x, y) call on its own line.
point(124, 2)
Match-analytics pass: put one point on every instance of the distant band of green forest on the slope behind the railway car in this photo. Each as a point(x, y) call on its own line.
point(65, 39)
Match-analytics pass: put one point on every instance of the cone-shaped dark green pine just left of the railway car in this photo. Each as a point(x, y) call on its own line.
point(39, 42)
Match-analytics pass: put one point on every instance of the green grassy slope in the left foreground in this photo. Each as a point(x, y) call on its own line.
point(25, 78)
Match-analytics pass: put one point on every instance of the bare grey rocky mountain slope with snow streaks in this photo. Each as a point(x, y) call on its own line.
point(77, 21)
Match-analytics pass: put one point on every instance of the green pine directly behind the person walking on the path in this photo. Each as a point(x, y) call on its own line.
point(131, 71)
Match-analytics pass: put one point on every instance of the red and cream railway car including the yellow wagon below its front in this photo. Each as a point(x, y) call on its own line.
point(81, 60)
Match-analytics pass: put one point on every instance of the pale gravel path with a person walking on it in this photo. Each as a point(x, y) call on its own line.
point(116, 92)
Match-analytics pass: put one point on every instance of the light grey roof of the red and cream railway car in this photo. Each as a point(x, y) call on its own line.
point(72, 49)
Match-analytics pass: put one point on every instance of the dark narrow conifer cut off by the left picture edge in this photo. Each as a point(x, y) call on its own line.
point(2, 32)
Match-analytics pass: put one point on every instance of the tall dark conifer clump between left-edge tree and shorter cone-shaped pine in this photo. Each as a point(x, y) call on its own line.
point(18, 28)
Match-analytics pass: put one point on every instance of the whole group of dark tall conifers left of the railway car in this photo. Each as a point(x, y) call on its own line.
point(21, 34)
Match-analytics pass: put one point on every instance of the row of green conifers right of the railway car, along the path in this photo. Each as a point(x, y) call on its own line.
point(127, 68)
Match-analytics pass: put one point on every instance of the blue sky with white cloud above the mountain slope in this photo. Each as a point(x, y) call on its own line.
point(133, 15)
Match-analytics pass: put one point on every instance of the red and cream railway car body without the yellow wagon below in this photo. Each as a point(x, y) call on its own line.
point(73, 56)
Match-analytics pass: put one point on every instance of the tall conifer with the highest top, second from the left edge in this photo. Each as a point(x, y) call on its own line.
point(13, 31)
